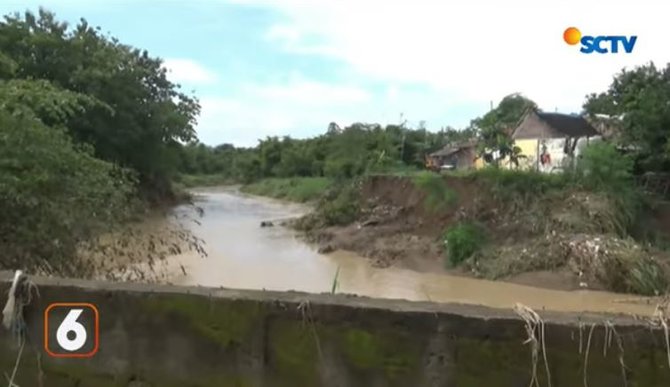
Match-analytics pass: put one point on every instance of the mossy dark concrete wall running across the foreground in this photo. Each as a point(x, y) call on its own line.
point(171, 336)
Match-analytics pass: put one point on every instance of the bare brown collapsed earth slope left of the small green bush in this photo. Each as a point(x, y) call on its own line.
point(394, 226)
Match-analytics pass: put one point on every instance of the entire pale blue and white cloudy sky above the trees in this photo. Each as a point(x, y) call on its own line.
point(289, 67)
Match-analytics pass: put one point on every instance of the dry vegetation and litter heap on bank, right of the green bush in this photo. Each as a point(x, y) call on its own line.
point(584, 232)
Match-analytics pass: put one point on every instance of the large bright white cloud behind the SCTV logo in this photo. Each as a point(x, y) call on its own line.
point(477, 50)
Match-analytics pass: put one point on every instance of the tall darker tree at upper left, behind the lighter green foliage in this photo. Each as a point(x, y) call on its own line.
point(139, 118)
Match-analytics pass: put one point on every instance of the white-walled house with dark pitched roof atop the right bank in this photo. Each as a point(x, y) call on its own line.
point(551, 141)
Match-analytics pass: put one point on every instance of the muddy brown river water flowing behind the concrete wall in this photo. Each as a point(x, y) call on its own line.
point(243, 255)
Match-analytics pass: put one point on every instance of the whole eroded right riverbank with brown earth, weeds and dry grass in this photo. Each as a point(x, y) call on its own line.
point(530, 222)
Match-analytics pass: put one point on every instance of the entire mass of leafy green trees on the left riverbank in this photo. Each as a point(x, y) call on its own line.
point(84, 122)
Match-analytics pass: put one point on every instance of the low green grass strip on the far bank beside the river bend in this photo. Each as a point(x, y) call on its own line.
point(297, 189)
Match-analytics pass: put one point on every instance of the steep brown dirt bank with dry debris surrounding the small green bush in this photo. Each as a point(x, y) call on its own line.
point(563, 239)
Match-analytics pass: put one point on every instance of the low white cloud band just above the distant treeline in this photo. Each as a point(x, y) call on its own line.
point(303, 108)
